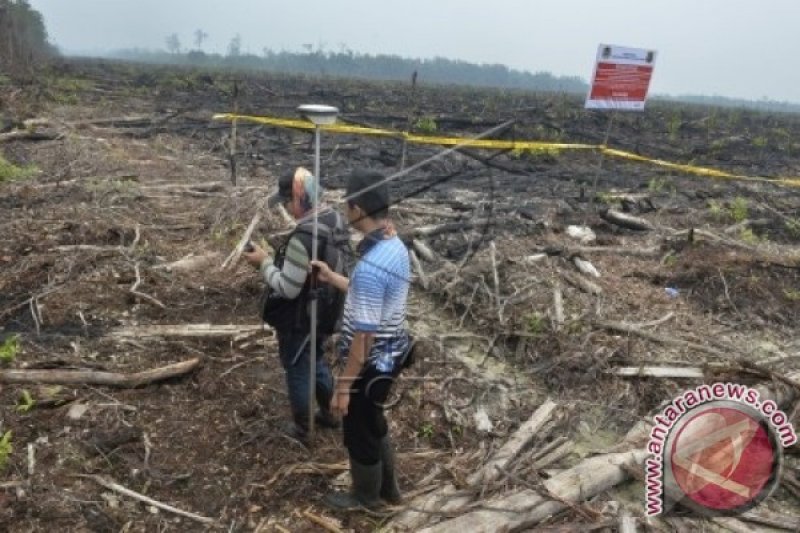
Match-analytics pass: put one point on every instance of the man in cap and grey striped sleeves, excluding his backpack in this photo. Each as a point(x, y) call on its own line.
point(287, 278)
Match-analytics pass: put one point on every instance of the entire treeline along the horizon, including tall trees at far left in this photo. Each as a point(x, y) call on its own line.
point(24, 44)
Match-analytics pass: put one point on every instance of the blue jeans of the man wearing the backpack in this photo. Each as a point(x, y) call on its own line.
point(295, 353)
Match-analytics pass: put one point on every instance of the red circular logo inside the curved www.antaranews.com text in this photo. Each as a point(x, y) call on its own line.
point(723, 458)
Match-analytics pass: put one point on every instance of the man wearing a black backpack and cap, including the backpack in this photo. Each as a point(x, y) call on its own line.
point(288, 295)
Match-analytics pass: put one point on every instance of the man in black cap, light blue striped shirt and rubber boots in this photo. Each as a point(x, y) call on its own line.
point(373, 341)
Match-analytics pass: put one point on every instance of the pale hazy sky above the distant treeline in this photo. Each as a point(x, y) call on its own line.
point(728, 47)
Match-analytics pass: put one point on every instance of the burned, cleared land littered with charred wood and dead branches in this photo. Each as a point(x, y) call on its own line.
point(560, 298)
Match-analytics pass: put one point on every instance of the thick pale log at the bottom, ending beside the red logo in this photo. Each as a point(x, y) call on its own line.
point(526, 508)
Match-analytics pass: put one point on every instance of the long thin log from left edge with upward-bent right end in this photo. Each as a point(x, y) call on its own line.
point(93, 377)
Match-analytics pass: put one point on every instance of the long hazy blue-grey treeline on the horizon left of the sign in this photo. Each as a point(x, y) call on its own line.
point(349, 64)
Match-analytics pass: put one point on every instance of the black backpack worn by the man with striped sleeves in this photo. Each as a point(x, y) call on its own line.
point(334, 249)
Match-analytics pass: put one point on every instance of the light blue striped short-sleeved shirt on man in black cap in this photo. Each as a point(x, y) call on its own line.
point(376, 303)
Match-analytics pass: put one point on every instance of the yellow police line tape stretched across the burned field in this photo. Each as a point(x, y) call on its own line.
point(503, 145)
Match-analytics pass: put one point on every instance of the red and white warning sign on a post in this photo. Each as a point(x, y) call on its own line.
point(621, 78)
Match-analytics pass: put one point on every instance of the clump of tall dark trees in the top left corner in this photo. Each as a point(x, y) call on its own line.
point(23, 36)
